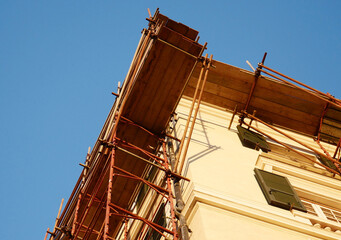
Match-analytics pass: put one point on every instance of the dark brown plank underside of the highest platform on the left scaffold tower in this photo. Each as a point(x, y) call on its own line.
point(155, 88)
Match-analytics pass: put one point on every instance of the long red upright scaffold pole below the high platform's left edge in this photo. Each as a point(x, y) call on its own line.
point(107, 209)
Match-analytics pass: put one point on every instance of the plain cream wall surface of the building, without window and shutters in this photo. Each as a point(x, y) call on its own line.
point(224, 200)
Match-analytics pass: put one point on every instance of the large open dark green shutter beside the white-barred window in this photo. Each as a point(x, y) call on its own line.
point(278, 190)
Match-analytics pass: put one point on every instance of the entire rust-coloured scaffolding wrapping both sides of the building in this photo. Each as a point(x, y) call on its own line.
point(133, 158)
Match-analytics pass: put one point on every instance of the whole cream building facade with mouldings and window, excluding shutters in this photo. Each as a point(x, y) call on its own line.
point(224, 199)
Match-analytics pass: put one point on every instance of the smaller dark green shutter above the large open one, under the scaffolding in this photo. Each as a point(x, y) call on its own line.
point(252, 139)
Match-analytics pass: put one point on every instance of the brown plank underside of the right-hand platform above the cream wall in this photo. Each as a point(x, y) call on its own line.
point(275, 102)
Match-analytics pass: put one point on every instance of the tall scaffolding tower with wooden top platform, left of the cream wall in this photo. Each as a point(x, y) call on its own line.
point(132, 146)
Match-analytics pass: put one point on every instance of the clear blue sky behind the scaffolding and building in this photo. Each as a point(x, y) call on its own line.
point(60, 61)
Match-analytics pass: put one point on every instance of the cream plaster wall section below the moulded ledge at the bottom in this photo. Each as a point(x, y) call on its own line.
point(220, 224)
